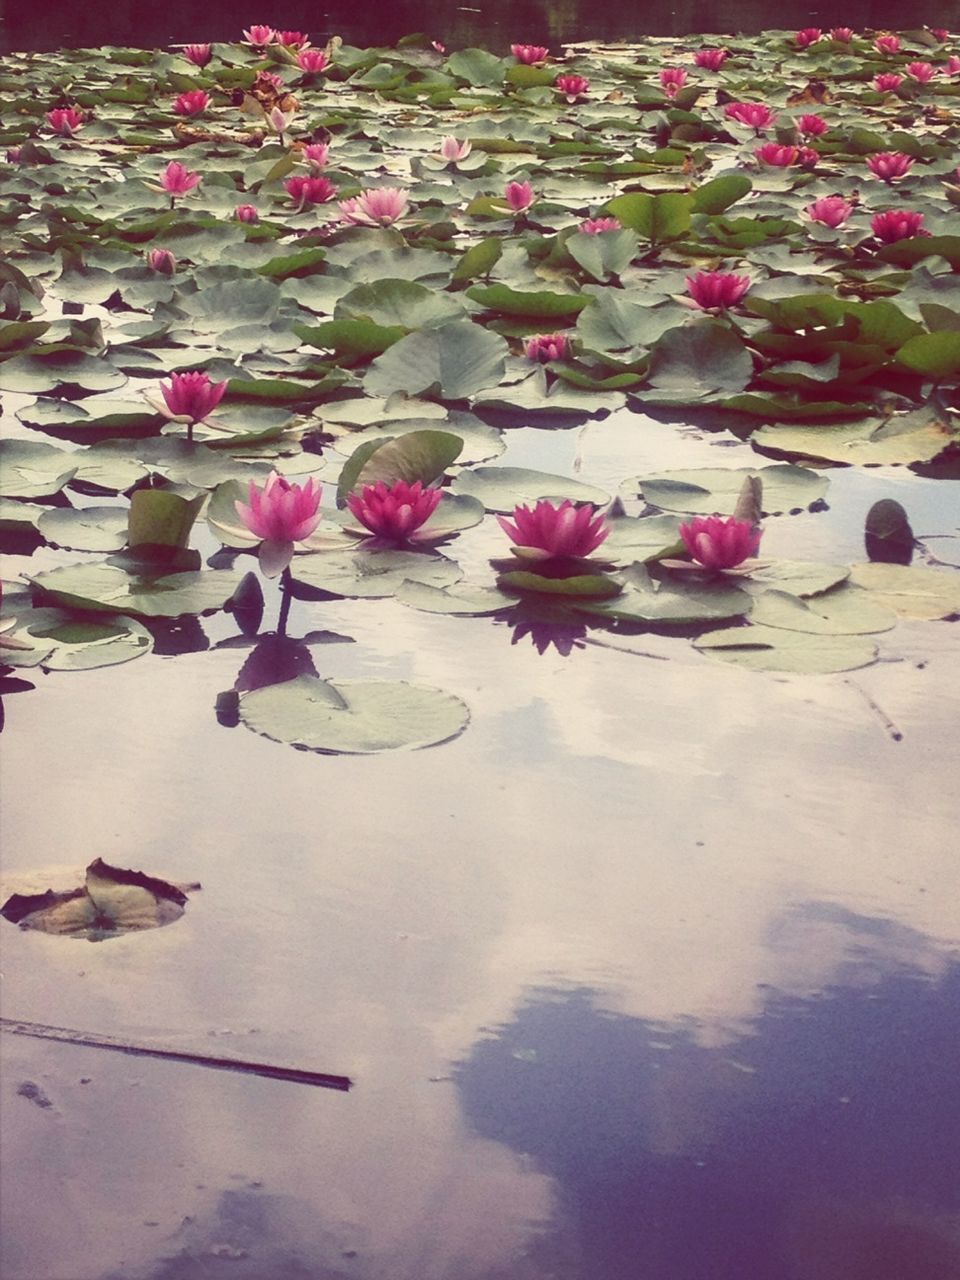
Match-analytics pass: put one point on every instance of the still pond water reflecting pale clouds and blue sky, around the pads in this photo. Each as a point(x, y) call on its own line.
point(652, 975)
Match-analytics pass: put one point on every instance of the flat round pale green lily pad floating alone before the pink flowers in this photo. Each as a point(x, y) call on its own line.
point(354, 717)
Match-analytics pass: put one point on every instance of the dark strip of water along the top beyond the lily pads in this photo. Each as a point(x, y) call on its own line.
point(45, 25)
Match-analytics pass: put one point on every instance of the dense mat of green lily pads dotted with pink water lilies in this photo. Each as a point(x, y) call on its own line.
point(371, 264)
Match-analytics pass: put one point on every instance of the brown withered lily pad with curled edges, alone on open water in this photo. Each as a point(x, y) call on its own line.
point(112, 902)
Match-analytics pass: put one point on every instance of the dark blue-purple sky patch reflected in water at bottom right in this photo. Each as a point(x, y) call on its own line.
point(822, 1146)
